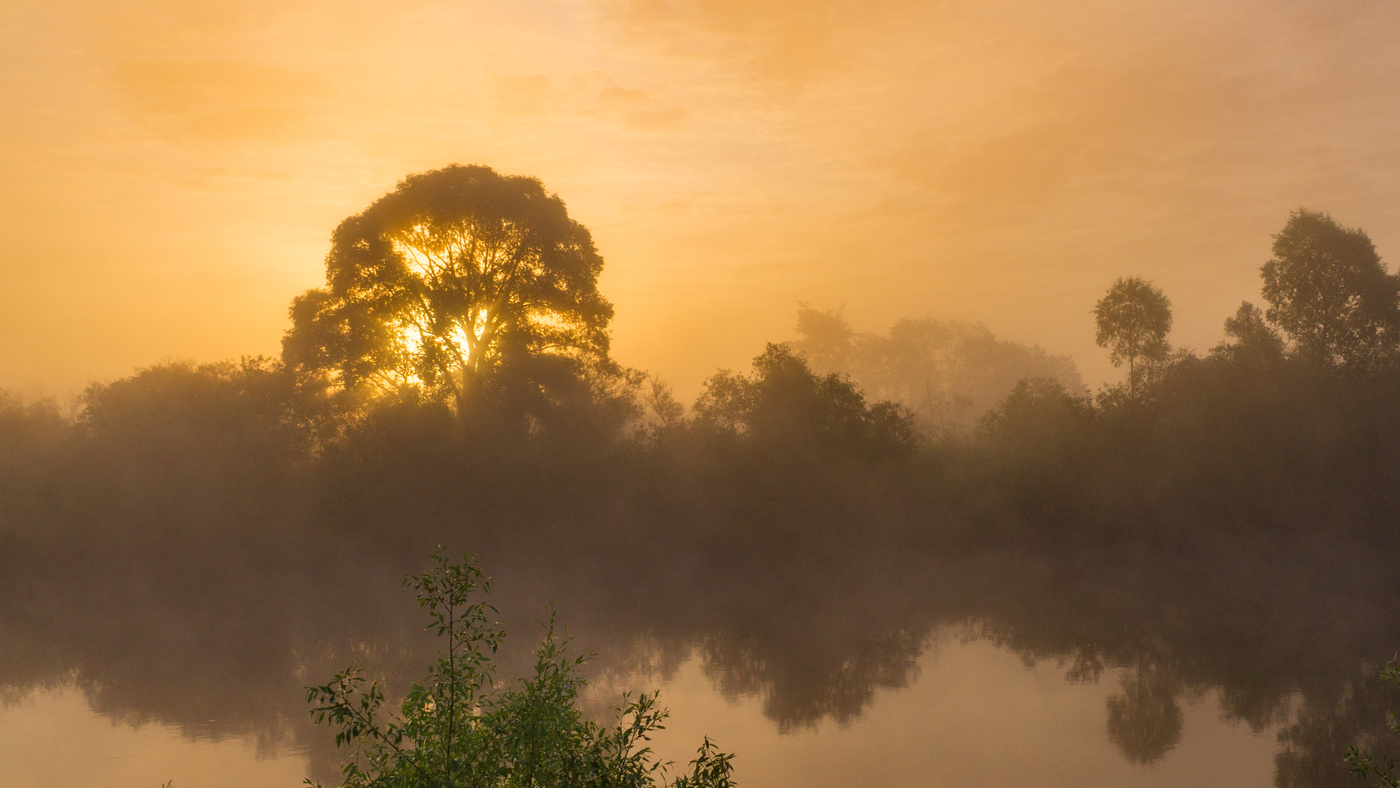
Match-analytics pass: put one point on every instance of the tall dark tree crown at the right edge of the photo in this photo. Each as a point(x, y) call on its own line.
point(1331, 293)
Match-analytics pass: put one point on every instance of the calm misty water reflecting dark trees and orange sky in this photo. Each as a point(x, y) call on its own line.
point(884, 668)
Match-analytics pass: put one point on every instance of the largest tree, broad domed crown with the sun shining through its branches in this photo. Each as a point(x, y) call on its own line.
point(457, 281)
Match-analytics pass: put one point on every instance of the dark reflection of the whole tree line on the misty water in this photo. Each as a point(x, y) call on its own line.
point(220, 647)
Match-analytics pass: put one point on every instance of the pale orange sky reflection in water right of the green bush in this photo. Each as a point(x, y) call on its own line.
point(975, 716)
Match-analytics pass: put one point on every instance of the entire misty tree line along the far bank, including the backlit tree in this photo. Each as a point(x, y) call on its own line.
point(456, 367)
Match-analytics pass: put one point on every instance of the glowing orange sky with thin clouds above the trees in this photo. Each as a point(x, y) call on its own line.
point(173, 170)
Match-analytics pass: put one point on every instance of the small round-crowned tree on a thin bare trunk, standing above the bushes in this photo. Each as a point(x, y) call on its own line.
point(1133, 321)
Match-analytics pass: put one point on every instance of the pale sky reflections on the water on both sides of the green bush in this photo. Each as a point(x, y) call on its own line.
point(974, 716)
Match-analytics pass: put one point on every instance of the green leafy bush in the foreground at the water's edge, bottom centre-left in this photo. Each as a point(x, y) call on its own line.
point(457, 730)
